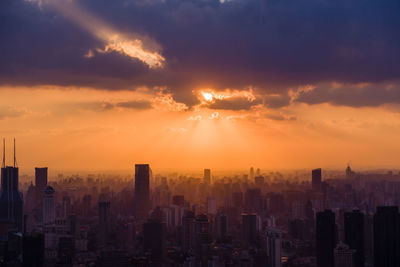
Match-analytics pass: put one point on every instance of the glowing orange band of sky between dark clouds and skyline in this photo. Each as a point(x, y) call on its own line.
point(86, 129)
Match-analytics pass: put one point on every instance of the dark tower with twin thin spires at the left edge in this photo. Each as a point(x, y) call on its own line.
point(11, 202)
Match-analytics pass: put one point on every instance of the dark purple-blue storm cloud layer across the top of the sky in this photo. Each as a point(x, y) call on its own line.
point(268, 44)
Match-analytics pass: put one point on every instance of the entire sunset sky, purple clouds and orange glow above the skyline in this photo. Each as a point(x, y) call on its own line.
point(191, 84)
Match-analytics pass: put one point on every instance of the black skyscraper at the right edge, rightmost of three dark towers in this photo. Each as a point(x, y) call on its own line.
point(387, 237)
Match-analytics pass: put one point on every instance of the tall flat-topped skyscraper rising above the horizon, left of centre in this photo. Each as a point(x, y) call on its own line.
point(142, 191)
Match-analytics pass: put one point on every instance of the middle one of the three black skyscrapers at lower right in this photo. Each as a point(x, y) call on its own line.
point(354, 235)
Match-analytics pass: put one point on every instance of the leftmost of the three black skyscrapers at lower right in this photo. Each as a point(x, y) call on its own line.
point(326, 238)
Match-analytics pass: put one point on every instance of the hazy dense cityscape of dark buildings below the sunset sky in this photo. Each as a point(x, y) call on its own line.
point(301, 219)
